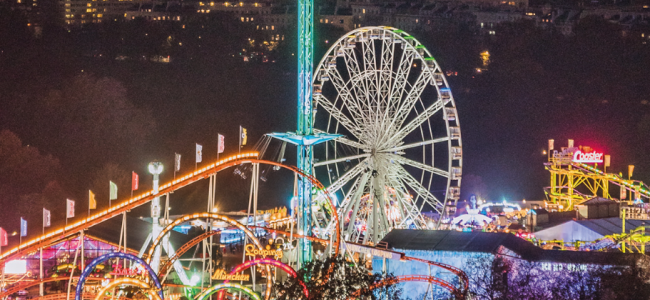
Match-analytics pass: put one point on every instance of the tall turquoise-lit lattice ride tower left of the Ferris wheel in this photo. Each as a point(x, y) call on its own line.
point(304, 137)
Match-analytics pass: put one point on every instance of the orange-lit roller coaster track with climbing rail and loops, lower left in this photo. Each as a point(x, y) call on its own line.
point(75, 230)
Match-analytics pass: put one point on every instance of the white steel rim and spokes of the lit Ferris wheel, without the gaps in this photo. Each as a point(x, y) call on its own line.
point(382, 145)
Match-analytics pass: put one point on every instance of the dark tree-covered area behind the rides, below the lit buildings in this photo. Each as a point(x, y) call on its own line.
point(100, 118)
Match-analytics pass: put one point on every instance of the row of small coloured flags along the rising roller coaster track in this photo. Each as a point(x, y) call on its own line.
point(135, 180)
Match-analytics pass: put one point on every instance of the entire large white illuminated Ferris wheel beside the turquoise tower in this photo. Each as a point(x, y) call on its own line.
point(400, 155)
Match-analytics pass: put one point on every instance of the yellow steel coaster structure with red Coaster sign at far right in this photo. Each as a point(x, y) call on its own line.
point(574, 182)
